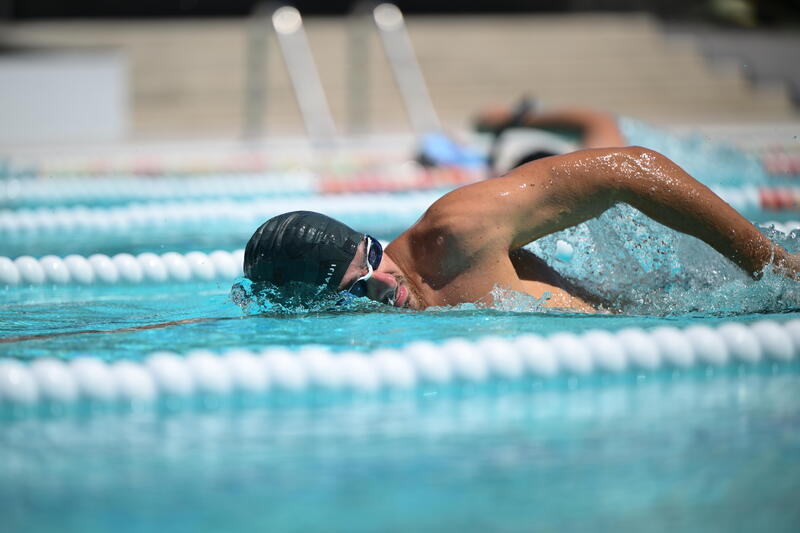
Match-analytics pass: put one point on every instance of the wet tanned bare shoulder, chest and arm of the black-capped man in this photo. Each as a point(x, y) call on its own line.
point(470, 239)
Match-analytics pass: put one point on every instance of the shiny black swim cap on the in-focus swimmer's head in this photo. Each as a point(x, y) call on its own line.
point(301, 246)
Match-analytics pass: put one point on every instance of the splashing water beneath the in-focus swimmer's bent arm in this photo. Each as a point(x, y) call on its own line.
point(640, 267)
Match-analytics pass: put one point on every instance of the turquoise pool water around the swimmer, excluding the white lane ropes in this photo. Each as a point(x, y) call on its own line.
point(698, 449)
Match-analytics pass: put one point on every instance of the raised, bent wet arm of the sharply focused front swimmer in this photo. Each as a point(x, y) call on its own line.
point(558, 192)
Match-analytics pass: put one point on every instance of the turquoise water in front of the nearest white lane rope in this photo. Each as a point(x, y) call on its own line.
point(692, 453)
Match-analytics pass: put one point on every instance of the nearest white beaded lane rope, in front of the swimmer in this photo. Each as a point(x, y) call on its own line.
point(417, 366)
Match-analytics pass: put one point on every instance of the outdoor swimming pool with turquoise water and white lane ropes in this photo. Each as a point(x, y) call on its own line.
point(680, 413)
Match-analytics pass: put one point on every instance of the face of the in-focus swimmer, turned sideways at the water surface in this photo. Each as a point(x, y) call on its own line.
point(387, 283)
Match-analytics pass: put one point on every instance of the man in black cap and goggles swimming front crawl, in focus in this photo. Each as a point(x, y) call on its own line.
point(471, 239)
